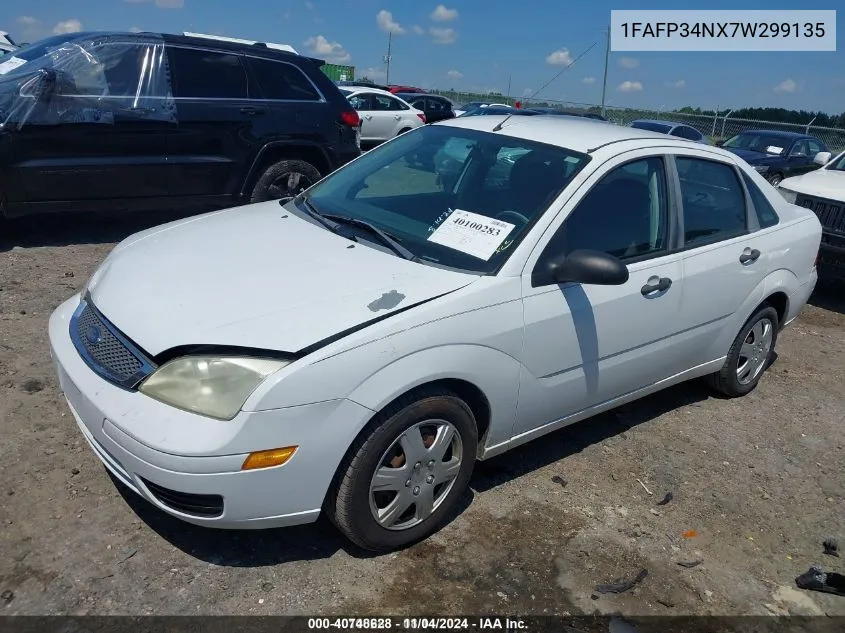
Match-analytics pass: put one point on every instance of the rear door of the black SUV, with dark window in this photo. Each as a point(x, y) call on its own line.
point(219, 124)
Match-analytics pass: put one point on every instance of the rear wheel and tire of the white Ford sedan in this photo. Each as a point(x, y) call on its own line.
point(730, 381)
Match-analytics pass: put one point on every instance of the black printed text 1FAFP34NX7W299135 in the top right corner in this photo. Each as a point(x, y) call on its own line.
point(723, 29)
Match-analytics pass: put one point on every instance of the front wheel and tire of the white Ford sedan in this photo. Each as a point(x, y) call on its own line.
point(352, 505)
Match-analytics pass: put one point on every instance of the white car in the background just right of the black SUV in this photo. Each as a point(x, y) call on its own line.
point(383, 115)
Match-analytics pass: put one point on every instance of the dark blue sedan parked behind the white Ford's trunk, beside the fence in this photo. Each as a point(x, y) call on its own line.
point(778, 155)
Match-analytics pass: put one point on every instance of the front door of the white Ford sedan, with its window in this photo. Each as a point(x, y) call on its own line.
point(587, 344)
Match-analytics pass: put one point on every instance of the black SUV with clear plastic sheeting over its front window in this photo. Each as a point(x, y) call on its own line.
point(141, 121)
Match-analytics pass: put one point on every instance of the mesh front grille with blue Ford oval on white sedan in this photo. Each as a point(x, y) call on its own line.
point(106, 350)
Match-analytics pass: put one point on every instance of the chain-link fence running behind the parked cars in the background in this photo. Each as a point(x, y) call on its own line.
point(716, 127)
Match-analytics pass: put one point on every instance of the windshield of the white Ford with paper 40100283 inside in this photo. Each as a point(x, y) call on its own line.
point(456, 198)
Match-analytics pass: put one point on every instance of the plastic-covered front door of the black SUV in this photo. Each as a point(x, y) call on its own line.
point(100, 133)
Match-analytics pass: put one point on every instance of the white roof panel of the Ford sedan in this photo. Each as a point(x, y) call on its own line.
point(575, 133)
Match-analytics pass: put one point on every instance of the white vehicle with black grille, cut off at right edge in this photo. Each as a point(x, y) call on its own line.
point(823, 192)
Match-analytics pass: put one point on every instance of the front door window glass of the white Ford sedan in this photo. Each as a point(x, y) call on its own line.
point(625, 214)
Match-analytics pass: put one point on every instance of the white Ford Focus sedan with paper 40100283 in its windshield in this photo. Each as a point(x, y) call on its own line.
point(454, 293)
